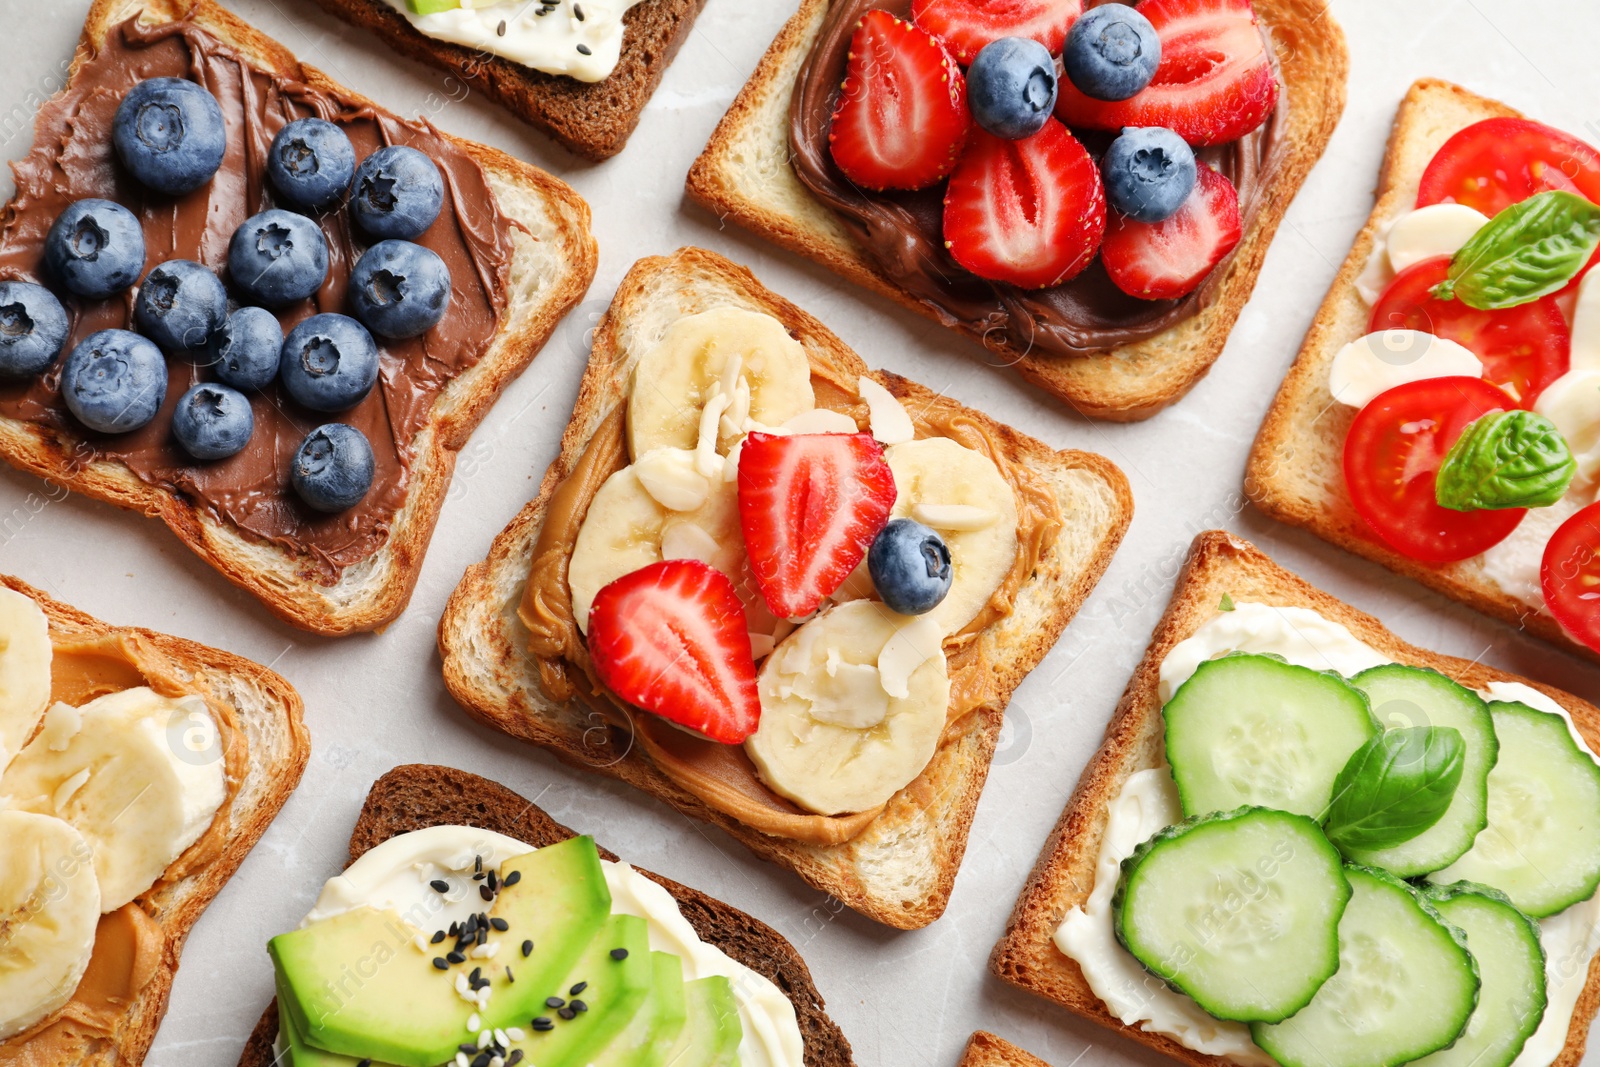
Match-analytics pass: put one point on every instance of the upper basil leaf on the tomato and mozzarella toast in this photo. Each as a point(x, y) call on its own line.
point(1529, 250)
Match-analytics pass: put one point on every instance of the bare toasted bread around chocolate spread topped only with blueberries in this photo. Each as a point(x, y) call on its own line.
point(553, 265)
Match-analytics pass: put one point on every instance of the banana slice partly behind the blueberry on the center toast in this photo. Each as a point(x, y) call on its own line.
point(937, 474)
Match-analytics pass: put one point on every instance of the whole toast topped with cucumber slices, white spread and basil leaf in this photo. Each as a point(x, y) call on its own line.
point(1305, 842)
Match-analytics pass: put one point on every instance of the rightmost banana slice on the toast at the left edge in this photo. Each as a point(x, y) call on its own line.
point(142, 781)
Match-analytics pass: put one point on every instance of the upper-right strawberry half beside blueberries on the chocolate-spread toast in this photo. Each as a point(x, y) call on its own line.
point(1215, 82)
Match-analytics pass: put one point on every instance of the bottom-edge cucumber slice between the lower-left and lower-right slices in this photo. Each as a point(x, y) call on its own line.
point(1406, 985)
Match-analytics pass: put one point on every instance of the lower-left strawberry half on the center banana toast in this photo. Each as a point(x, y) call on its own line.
point(671, 639)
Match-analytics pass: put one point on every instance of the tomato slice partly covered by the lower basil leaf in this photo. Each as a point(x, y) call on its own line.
point(1393, 455)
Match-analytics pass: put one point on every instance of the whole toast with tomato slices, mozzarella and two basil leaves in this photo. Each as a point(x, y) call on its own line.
point(1444, 414)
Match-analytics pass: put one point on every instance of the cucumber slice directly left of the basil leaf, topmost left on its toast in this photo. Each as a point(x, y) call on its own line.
point(1257, 730)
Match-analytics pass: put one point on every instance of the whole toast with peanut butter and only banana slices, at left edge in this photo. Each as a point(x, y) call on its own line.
point(137, 773)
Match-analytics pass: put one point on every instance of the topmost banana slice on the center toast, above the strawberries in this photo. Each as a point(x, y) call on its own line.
point(756, 370)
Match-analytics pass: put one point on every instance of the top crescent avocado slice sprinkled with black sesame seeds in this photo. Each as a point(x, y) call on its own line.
point(356, 985)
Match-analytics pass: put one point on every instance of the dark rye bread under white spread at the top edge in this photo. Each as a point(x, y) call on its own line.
point(591, 119)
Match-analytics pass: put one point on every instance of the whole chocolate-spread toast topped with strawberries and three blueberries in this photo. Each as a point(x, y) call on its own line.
point(1086, 190)
